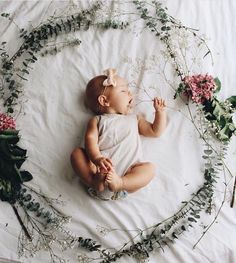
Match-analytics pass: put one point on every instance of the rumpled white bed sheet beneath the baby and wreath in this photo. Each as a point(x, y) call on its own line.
point(53, 120)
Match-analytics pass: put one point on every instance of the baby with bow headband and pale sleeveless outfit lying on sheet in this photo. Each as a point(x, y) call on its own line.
point(112, 159)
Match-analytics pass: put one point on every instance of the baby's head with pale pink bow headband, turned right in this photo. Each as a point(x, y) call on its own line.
point(108, 93)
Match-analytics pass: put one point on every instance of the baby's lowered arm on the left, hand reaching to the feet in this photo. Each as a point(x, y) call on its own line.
point(91, 146)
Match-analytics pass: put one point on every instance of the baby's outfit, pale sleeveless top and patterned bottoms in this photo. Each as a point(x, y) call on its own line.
point(118, 140)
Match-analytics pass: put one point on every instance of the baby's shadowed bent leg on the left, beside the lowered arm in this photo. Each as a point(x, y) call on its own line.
point(86, 170)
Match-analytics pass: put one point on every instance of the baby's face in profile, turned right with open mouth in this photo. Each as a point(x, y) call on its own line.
point(120, 97)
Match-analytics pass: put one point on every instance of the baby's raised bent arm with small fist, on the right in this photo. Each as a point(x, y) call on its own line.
point(156, 128)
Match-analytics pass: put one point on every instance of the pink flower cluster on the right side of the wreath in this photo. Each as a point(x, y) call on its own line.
point(199, 87)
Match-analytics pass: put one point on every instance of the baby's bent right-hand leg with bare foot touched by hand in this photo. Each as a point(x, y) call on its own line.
point(136, 177)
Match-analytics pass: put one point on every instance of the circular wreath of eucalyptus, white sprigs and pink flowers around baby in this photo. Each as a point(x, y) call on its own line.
point(43, 223)
